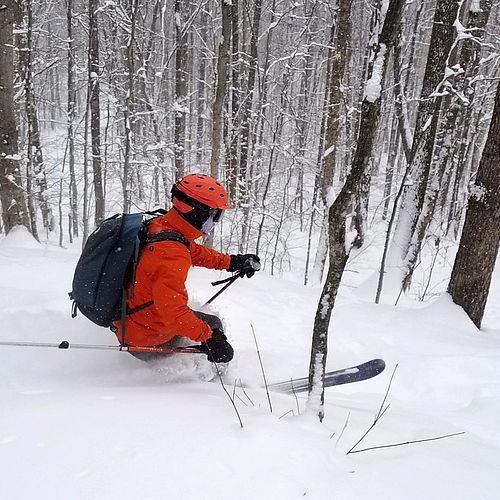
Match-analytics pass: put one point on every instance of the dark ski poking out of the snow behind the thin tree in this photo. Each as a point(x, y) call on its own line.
point(357, 373)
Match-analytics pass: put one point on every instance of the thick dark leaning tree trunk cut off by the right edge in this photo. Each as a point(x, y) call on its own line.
point(475, 261)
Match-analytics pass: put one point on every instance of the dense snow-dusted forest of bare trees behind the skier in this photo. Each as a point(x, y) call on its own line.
point(330, 122)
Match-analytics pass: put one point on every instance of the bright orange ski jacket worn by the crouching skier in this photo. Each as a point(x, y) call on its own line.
point(161, 276)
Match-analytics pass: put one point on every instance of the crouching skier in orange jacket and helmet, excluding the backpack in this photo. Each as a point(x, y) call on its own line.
point(198, 204)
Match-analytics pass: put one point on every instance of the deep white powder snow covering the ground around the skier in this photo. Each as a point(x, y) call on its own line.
point(80, 424)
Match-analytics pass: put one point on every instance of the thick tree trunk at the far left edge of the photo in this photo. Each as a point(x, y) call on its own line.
point(13, 202)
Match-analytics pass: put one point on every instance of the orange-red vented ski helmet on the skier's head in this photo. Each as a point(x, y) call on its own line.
point(203, 189)
